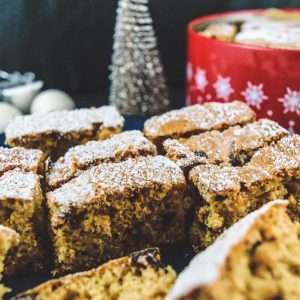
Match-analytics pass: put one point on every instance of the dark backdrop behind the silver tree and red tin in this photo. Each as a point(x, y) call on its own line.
point(68, 43)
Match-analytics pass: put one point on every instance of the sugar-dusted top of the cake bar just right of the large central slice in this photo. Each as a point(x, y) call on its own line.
point(214, 178)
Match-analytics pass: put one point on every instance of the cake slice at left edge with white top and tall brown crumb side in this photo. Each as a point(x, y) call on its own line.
point(21, 209)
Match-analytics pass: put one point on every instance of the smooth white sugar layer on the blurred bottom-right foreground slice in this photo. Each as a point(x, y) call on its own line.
point(205, 267)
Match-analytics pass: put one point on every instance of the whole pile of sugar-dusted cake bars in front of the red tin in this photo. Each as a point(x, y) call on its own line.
point(75, 184)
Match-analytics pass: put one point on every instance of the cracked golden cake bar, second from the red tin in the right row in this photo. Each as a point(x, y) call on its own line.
point(235, 145)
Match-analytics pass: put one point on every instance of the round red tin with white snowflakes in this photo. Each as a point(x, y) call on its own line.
point(267, 79)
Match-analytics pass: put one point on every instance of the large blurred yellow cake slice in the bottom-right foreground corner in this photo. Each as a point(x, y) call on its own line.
point(258, 258)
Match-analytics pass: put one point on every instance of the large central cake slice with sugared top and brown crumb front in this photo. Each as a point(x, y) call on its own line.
point(116, 208)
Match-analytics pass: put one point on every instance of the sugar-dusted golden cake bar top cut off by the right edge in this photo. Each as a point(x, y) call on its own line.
point(282, 156)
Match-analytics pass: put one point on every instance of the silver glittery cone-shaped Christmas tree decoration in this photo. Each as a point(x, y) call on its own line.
point(138, 85)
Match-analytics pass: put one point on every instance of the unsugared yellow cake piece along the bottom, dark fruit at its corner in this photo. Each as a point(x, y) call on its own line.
point(138, 276)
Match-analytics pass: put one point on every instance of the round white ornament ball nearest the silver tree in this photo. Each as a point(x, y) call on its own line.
point(51, 100)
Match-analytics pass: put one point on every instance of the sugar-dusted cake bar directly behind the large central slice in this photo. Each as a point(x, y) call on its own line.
point(122, 146)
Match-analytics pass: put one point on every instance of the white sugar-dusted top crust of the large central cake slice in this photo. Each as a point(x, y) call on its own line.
point(123, 178)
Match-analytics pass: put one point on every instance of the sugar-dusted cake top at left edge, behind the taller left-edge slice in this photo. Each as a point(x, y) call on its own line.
point(27, 160)
